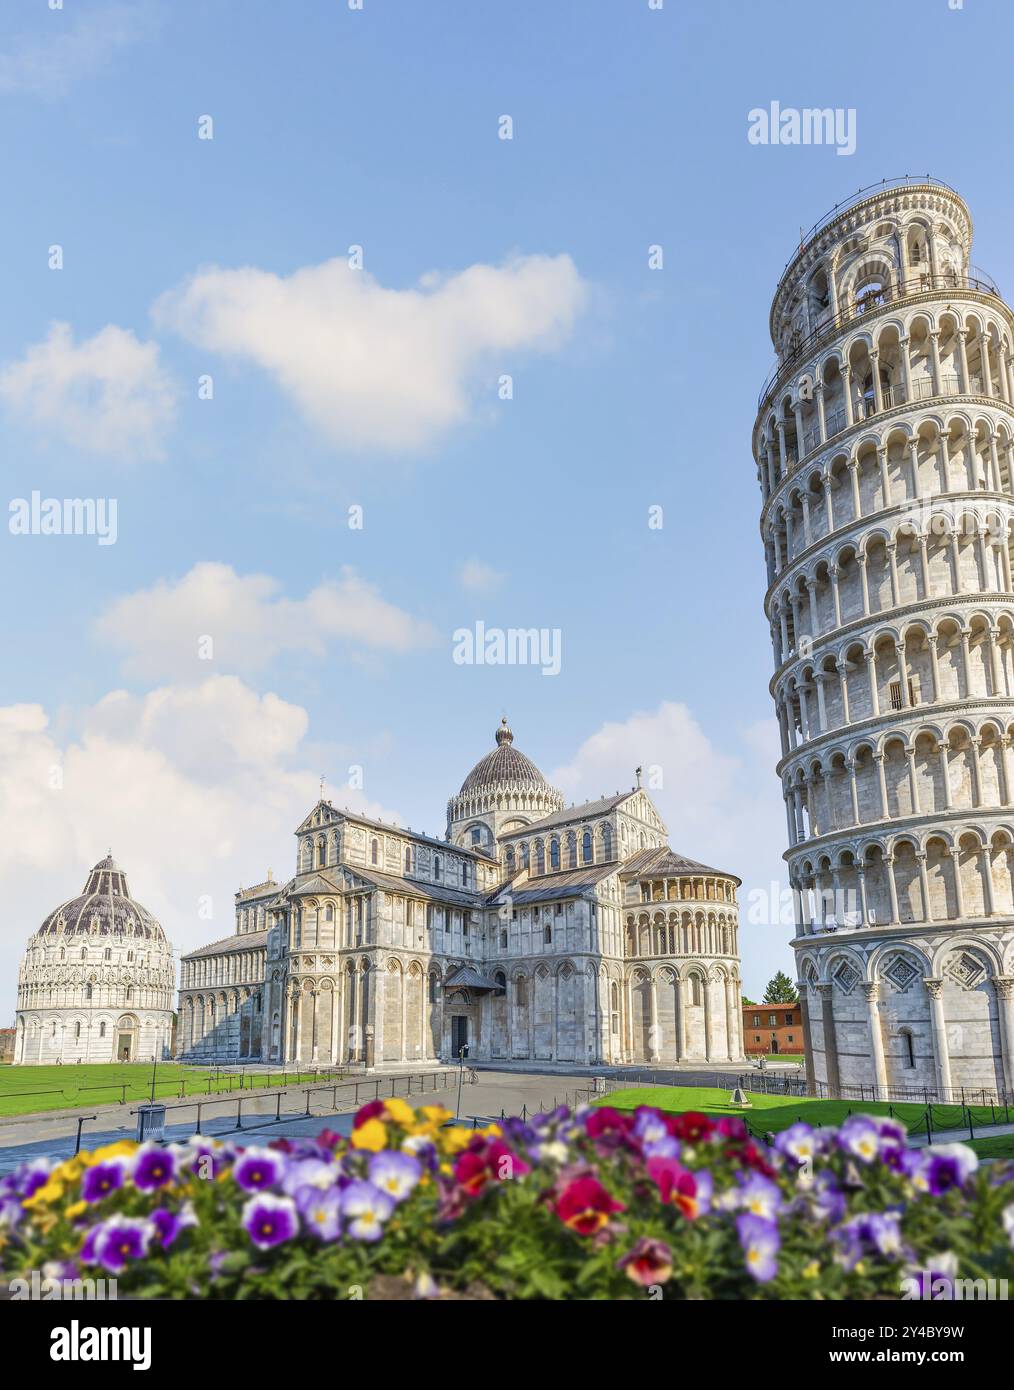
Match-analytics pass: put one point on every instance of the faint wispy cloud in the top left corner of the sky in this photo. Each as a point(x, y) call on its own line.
point(73, 51)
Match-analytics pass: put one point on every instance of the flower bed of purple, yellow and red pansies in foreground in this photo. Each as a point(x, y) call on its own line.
point(592, 1204)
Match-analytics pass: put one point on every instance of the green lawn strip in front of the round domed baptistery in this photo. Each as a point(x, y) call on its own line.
point(29, 1089)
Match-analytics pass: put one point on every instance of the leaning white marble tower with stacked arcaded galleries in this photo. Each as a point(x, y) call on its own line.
point(884, 445)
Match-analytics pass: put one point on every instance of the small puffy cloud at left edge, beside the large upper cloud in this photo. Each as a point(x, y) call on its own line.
point(108, 394)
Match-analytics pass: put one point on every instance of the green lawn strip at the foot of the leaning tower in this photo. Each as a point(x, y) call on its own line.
point(778, 1113)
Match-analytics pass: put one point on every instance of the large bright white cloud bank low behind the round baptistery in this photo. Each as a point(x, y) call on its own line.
point(195, 792)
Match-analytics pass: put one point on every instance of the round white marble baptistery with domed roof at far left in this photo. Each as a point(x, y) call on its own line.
point(97, 981)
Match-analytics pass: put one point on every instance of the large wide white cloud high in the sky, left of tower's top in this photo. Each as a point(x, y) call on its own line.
point(376, 368)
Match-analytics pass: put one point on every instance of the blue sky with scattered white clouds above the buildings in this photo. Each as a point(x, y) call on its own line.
point(632, 389)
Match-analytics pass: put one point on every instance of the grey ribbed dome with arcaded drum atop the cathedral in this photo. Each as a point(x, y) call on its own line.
point(504, 792)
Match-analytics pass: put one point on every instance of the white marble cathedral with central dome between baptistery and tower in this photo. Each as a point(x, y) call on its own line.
point(533, 932)
